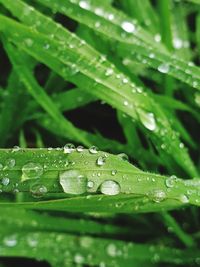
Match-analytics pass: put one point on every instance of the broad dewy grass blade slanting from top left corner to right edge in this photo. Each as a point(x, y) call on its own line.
point(130, 100)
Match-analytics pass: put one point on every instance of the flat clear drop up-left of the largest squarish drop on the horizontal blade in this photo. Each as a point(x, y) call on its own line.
point(32, 170)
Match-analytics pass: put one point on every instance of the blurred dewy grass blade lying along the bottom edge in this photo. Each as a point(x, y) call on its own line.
point(88, 250)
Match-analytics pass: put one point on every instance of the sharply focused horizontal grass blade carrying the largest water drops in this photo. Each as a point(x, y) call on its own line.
point(107, 182)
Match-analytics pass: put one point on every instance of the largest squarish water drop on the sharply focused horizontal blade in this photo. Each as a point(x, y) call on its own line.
point(73, 182)
